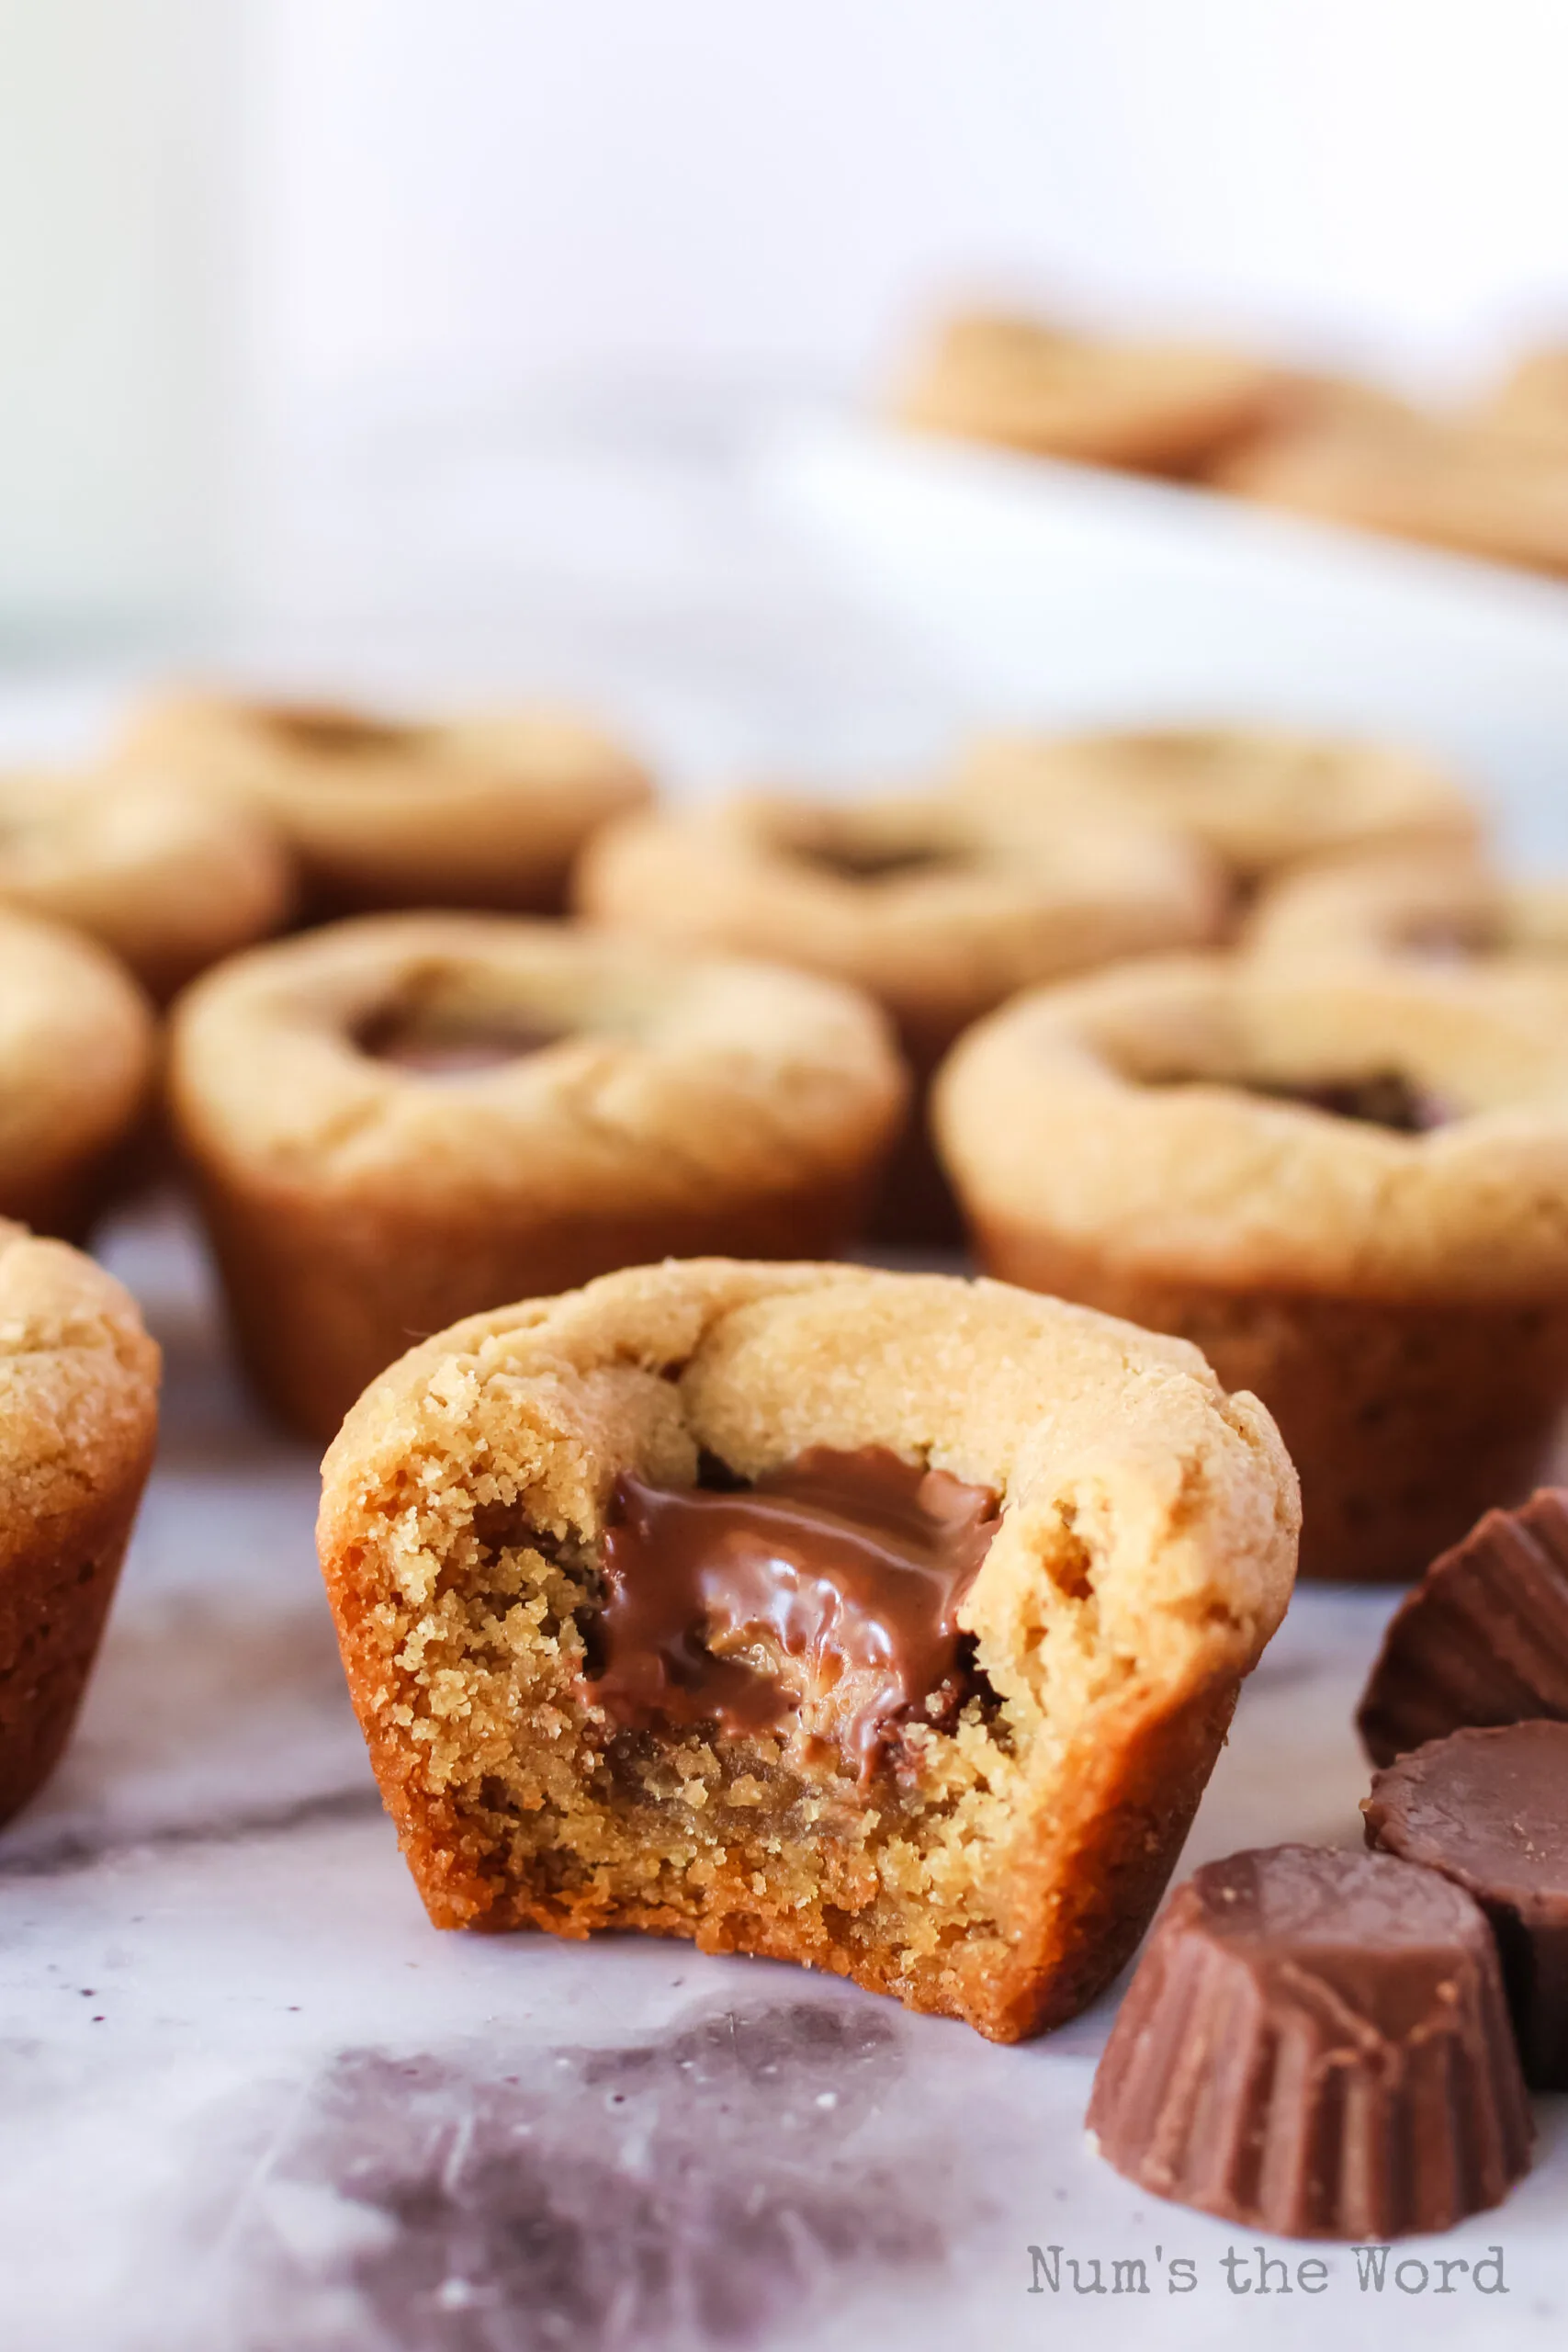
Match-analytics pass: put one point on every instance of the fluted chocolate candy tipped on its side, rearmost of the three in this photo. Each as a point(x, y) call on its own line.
point(1482, 1638)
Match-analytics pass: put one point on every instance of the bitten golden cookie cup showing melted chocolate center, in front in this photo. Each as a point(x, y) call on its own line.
point(878, 1622)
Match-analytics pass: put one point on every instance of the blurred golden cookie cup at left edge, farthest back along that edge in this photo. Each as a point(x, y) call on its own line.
point(161, 874)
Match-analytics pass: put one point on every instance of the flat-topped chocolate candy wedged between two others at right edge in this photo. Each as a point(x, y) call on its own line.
point(1492, 1812)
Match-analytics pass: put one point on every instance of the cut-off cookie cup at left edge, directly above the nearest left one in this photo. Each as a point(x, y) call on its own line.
point(76, 1071)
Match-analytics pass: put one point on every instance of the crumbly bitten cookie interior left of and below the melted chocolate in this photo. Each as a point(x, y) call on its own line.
point(695, 1829)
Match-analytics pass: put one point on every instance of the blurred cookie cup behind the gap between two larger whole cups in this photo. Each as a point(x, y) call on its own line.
point(932, 907)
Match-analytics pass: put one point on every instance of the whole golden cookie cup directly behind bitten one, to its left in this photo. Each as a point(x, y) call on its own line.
point(406, 1118)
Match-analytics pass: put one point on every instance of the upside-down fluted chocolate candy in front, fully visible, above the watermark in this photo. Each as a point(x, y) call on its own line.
point(1318, 2043)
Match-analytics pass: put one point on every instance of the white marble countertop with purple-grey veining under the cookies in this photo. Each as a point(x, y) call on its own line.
point(255, 2104)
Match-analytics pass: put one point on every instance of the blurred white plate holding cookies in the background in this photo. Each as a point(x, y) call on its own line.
point(1071, 596)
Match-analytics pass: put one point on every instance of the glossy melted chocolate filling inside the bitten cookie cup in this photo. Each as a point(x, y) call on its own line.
point(819, 1603)
